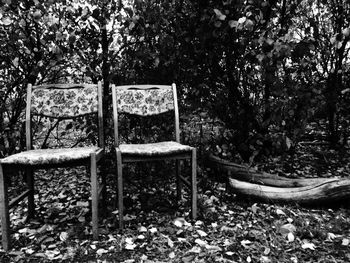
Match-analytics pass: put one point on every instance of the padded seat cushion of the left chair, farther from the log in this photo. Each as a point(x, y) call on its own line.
point(49, 156)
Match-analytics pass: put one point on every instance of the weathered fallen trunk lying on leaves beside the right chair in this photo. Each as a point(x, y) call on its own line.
point(243, 180)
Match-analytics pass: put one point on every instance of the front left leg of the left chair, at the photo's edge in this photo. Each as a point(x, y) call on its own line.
point(4, 212)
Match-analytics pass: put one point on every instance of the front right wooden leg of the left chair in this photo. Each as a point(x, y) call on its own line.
point(94, 195)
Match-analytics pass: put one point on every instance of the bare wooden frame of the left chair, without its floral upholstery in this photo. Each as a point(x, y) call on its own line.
point(91, 162)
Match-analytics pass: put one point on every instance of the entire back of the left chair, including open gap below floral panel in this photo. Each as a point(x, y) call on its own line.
point(63, 115)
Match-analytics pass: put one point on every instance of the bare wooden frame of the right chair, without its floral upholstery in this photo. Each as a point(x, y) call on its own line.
point(136, 158)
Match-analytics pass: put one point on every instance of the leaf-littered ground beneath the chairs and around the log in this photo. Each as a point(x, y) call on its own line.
point(228, 228)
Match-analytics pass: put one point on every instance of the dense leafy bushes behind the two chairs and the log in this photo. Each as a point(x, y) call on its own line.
point(262, 69)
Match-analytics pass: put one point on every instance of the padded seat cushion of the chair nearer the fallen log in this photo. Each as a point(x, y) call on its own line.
point(154, 149)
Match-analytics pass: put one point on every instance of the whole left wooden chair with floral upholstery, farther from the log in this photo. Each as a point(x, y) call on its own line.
point(54, 102)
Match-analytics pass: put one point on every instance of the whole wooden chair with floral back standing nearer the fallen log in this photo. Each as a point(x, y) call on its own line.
point(148, 100)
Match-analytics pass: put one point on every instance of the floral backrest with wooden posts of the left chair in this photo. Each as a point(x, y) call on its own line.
point(60, 103)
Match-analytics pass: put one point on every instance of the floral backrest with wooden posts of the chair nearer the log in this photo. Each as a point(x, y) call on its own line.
point(144, 100)
